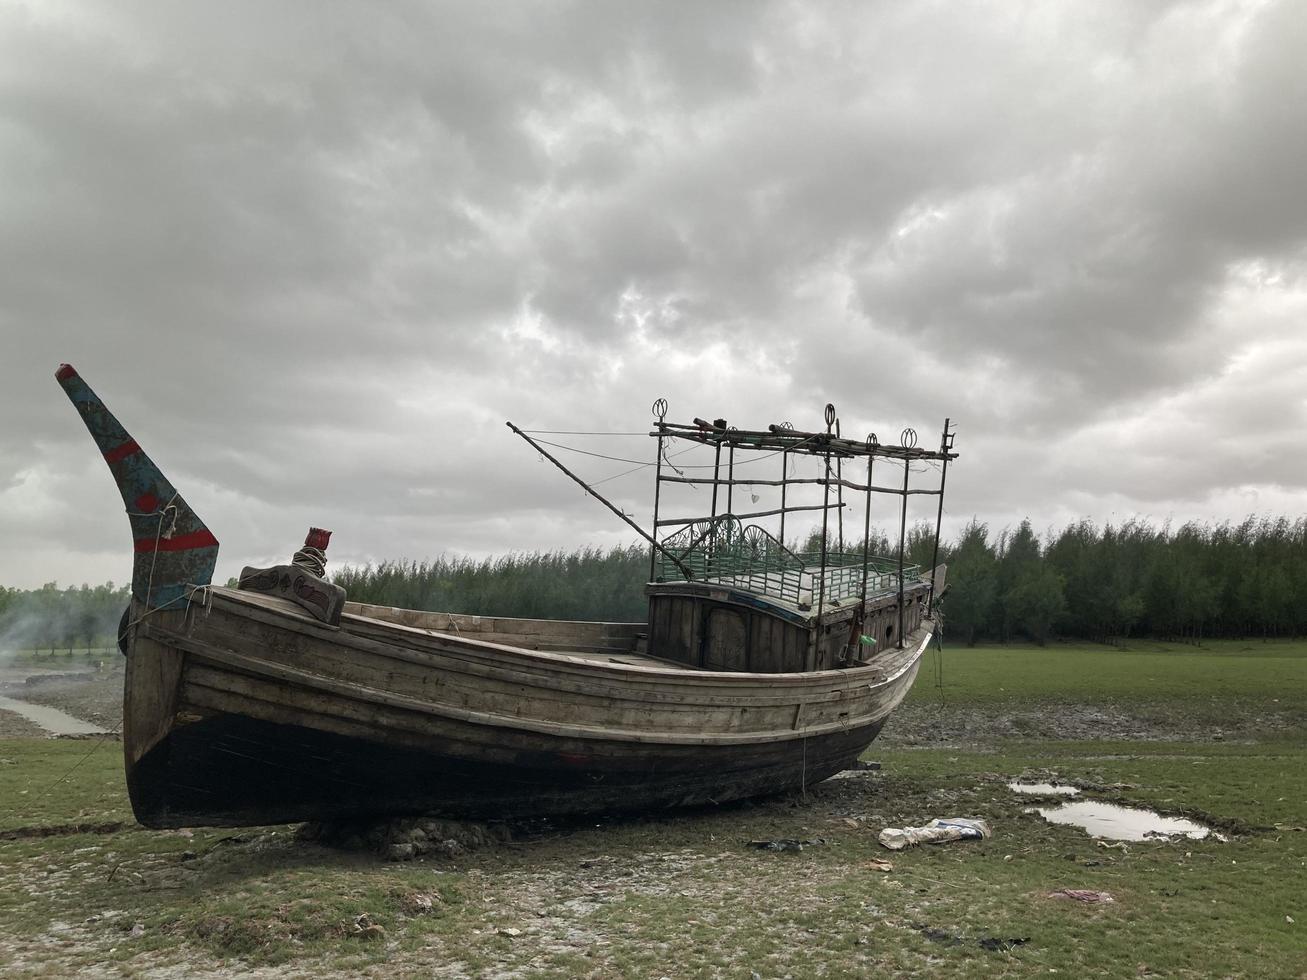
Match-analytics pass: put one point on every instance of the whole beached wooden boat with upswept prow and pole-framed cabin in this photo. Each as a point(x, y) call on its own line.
point(761, 670)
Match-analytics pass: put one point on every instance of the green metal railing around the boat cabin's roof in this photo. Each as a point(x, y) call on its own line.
point(752, 560)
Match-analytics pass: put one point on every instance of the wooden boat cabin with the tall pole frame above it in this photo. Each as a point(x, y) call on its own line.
point(726, 595)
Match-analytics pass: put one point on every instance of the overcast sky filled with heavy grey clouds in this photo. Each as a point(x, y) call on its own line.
point(316, 254)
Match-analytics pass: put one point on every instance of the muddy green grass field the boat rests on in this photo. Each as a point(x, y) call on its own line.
point(686, 896)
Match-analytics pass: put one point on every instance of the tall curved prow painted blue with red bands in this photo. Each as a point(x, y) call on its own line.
point(173, 548)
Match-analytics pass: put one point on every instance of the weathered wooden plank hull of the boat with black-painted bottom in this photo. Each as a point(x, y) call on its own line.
point(244, 711)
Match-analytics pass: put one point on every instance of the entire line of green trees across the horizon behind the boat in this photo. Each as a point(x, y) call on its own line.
point(1087, 582)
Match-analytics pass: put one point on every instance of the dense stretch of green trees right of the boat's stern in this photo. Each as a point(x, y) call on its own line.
point(1135, 580)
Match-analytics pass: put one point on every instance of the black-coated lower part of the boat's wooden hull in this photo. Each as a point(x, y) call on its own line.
point(239, 772)
